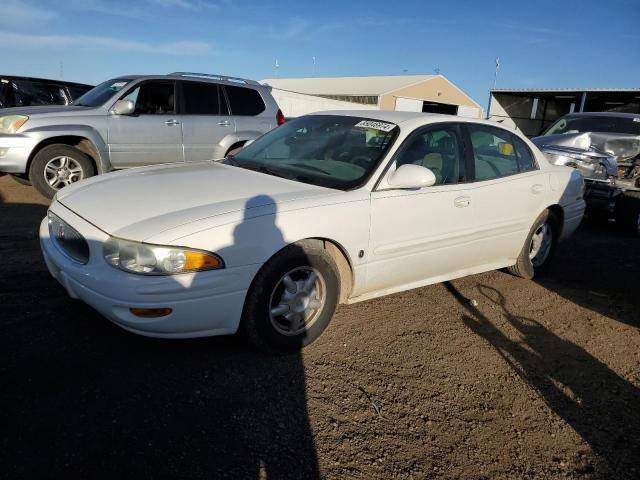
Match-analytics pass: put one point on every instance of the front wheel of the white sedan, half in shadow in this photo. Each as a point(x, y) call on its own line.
point(271, 299)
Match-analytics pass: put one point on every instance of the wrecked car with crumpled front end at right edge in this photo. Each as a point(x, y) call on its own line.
point(605, 148)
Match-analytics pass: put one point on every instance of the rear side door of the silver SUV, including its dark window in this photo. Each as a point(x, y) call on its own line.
point(205, 121)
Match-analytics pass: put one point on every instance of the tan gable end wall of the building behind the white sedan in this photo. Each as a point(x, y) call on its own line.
point(428, 90)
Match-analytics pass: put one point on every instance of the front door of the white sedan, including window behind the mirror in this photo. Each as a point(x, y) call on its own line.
point(420, 235)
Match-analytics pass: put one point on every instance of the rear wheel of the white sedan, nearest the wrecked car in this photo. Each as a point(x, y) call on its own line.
point(527, 266)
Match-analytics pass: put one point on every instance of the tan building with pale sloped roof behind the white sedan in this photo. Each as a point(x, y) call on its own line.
point(418, 93)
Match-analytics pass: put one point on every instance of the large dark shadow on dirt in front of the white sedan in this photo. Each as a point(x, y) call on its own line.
point(81, 398)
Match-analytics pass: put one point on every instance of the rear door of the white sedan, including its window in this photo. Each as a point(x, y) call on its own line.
point(508, 190)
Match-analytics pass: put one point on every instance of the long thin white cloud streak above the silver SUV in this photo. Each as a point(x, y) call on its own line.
point(85, 42)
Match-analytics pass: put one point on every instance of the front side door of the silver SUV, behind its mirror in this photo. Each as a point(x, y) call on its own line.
point(153, 133)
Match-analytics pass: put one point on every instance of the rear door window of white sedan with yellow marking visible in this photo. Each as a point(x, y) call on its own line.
point(493, 151)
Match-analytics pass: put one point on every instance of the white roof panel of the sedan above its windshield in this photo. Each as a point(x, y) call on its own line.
point(410, 119)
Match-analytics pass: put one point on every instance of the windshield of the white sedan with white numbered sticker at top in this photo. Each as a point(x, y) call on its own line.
point(326, 150)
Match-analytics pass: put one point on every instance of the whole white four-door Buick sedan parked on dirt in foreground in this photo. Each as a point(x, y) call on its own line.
point(328, 208)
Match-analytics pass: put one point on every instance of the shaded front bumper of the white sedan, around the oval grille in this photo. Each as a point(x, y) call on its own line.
point(203, 303)
